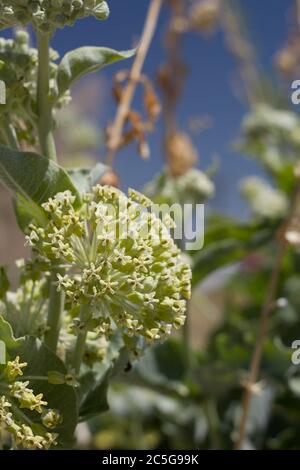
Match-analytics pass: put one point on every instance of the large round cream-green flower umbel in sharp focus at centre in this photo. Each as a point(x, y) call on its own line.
point(119, 259)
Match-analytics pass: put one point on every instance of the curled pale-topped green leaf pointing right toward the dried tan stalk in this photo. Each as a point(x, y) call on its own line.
point(84, 60)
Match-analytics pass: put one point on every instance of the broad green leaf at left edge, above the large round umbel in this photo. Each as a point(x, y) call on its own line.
point(33, 179)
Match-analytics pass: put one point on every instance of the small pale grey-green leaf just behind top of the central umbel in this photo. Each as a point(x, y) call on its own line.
point(85, 178)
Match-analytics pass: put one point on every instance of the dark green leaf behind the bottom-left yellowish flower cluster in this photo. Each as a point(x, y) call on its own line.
point(40, 360)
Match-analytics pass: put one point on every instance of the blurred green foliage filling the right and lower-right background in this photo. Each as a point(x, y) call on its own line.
point(166, 402)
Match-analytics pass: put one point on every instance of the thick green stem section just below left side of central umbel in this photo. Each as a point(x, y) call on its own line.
point(56, 306)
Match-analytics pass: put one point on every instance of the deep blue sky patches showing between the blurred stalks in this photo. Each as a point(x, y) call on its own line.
point(208, 90)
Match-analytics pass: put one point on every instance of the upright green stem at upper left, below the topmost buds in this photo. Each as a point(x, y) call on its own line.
point(47, 143)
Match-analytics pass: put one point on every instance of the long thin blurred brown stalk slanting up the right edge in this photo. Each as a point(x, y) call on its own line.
point(264, 323)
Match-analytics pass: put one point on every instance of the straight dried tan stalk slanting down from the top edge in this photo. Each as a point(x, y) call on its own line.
point(128, 92)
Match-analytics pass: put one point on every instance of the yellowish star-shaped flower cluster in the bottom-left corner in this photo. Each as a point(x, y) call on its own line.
point(17, 397)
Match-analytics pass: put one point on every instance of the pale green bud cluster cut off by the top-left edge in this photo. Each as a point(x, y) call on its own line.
point(48, 15)
